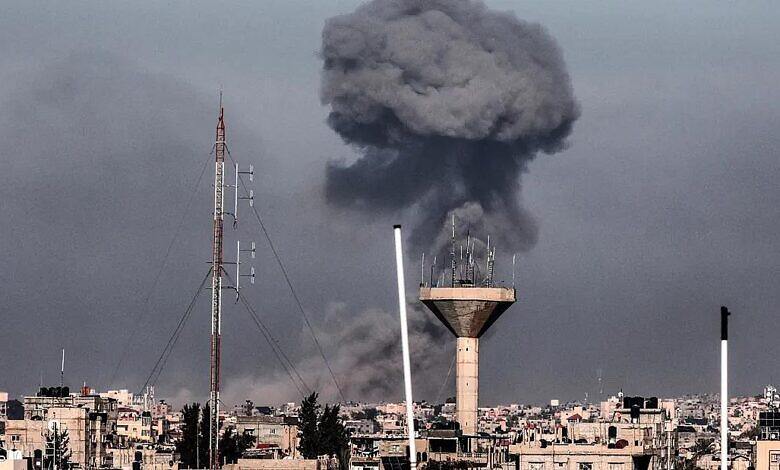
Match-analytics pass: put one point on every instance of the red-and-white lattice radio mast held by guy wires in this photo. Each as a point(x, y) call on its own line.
point(216, 290)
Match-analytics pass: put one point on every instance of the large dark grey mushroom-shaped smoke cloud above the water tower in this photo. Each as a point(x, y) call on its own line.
point(447, 102)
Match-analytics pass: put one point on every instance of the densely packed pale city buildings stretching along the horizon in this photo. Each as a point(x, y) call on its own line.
point(120, 429)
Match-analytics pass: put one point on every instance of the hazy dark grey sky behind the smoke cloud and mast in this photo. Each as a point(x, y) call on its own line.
point(664, 206)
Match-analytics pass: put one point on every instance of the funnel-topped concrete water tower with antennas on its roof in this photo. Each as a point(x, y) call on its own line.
point(467, 305)
